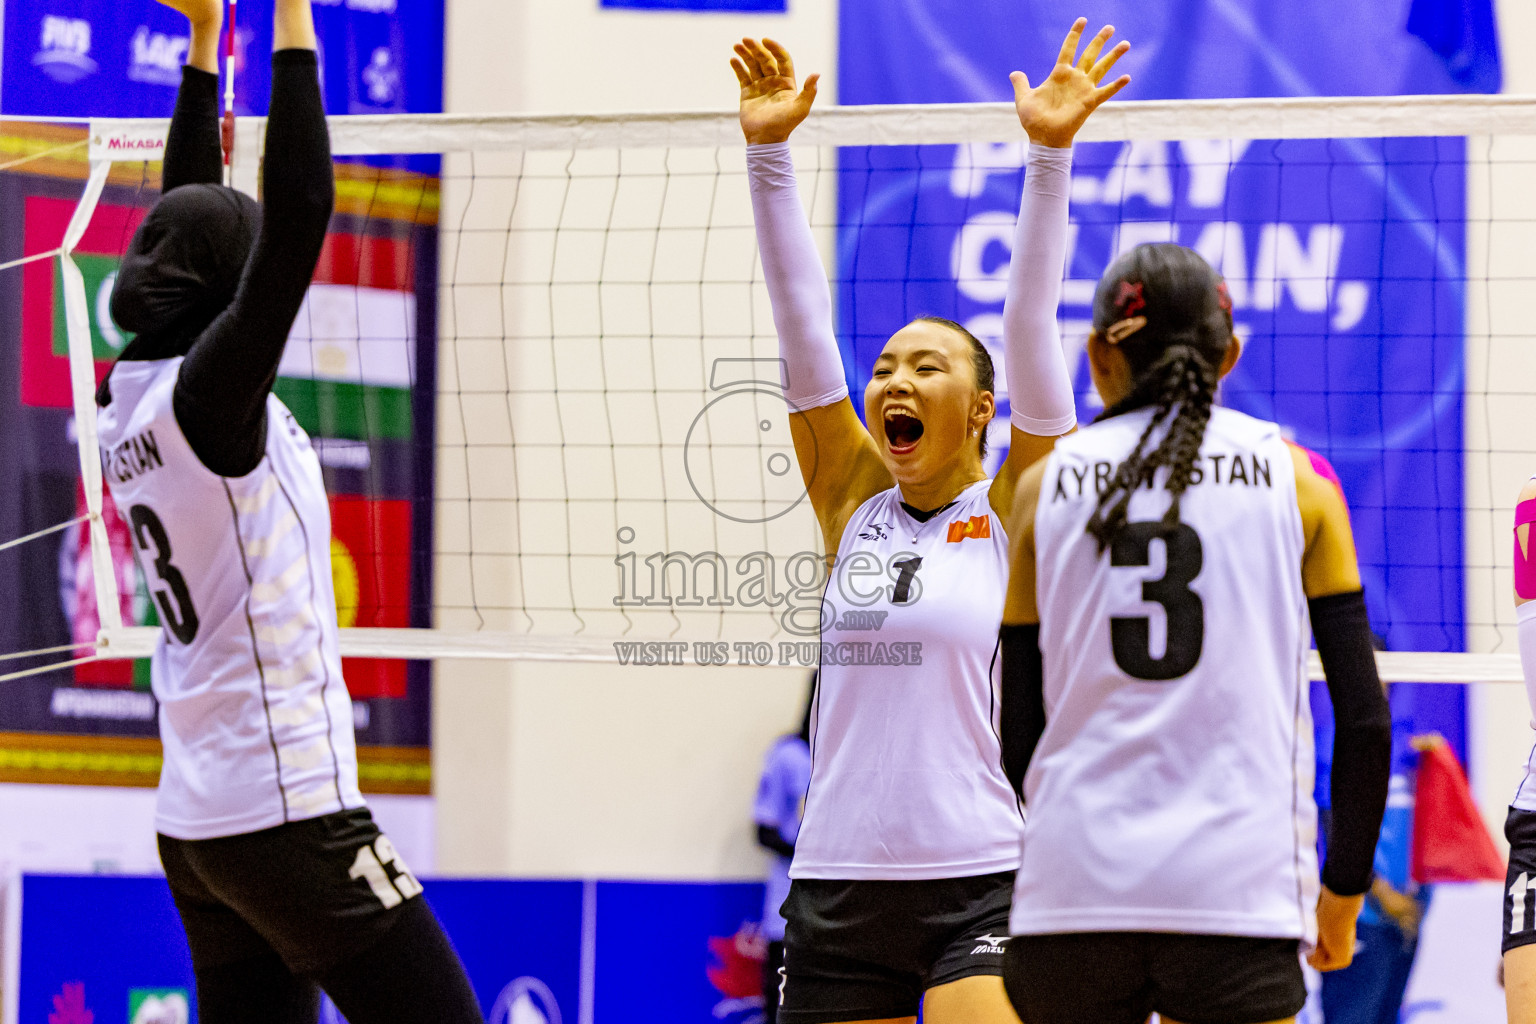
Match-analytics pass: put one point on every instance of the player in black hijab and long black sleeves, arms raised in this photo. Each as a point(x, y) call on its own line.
point(282, 879)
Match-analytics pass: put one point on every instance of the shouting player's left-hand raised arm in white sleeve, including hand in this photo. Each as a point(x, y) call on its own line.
point(838, 457)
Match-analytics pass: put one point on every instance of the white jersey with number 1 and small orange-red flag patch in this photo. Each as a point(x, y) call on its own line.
point(907, 776)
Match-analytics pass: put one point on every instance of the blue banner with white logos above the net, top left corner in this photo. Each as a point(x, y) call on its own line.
point(110, 59)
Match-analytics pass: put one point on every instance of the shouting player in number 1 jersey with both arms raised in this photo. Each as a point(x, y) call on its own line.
point(904, 864)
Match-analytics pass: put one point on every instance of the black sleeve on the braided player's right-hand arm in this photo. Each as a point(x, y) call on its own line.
point(1362, 739)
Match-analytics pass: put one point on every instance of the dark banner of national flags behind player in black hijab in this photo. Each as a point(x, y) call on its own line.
point(348, 377)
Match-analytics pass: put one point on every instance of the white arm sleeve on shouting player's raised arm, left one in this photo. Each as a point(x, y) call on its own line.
point(803, 303)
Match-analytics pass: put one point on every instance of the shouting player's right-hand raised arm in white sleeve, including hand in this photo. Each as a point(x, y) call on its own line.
point(1039, 380)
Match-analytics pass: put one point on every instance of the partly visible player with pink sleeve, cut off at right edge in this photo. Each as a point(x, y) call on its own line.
point(1520, 828)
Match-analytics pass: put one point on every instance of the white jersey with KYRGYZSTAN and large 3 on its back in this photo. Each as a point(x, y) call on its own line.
point(1173, 787)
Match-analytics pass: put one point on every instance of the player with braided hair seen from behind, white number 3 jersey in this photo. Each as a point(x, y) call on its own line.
point(1165, 566)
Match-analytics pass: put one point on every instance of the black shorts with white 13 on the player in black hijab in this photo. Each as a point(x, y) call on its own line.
point(316, 893)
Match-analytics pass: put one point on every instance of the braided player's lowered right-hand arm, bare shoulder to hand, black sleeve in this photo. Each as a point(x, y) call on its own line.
point(1363, 722)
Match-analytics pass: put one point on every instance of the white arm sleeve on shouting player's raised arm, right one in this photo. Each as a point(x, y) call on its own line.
point(1039, 383)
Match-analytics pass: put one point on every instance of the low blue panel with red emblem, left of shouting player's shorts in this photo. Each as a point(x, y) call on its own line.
point(678, 953)
